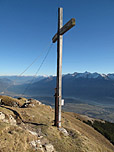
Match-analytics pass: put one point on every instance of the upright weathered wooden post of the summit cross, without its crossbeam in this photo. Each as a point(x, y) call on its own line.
point(59, 70)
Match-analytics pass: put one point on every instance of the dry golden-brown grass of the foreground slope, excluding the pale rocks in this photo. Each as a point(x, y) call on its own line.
point(83, 138)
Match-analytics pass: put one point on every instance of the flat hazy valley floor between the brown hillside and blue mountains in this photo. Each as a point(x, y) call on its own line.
point(89, 108)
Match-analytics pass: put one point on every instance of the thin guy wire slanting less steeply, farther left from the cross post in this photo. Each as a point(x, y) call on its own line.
point(24, 70)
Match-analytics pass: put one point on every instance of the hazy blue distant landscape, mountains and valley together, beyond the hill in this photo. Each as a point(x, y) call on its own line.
point(86, 93)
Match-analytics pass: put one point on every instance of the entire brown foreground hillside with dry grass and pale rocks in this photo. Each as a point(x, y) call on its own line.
point(27, 126)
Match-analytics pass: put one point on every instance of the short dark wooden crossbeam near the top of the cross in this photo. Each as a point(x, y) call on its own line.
point(64, 29)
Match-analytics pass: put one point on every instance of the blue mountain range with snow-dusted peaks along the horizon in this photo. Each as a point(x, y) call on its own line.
point(80, 85)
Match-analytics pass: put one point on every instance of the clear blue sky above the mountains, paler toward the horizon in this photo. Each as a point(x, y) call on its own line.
point(27, 27)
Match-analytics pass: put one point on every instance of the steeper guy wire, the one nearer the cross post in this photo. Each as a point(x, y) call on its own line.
point(28, 86)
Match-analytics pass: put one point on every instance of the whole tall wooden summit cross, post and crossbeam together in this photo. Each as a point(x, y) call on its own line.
point(59, 38)
